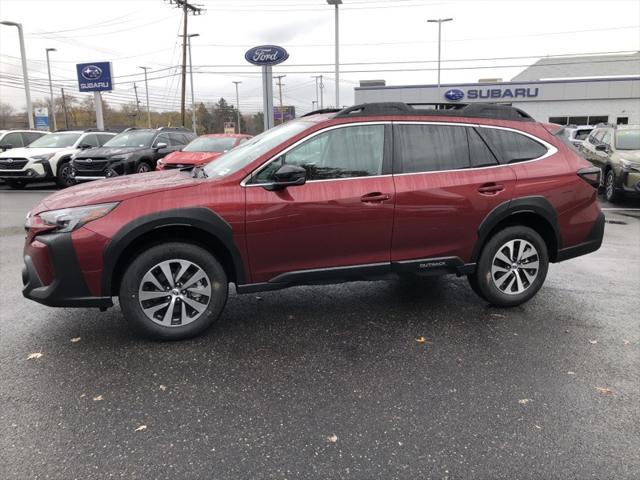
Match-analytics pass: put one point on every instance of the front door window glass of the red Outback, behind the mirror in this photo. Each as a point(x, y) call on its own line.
point(345, 152)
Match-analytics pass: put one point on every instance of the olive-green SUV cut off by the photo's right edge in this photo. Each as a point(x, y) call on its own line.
point(615, 150)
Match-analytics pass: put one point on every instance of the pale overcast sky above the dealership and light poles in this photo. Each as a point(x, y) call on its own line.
point(131, 33)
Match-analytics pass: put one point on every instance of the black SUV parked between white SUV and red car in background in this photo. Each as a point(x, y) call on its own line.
point(136, 150)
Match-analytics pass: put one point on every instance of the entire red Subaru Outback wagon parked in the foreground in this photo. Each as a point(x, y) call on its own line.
point(372, 190)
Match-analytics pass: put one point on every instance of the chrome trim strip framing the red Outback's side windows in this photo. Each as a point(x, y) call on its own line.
point(551, 150)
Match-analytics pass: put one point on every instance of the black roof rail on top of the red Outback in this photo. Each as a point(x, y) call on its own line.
point(475, 110)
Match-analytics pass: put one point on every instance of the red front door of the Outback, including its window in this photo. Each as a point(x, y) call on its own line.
point(343, 214)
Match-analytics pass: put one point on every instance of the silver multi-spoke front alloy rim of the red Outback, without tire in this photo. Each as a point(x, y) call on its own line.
point(174, 293)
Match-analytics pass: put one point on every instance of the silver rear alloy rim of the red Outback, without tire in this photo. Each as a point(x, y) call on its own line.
point(515, 266)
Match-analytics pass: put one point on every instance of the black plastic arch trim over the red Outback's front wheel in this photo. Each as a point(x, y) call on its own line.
point(200, 218)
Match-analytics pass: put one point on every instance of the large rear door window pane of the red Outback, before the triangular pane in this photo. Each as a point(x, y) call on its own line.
point(430, 148)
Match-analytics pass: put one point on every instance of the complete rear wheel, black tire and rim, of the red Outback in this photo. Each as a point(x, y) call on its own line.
point(502, 284)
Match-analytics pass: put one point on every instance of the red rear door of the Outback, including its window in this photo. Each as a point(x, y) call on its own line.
point(447, 180)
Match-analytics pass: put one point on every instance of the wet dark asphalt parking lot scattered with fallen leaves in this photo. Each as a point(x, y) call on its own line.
point(334, 381)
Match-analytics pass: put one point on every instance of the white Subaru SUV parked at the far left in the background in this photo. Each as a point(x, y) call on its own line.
point(48, 157)
